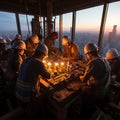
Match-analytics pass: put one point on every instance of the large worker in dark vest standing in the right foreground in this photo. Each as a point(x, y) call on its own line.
point(96, 80)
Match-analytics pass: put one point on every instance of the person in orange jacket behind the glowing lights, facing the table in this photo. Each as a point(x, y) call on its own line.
point(71, 50)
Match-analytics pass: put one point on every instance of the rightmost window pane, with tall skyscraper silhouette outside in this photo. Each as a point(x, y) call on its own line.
point(112, 28)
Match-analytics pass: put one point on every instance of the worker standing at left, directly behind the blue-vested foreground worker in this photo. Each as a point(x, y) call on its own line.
point(14, 62)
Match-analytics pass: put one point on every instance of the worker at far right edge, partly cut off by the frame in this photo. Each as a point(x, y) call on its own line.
point(113, 58)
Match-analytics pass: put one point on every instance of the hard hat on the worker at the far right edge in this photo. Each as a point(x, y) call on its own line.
point(112, 53)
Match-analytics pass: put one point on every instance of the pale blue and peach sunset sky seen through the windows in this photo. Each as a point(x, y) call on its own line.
point(86, 20)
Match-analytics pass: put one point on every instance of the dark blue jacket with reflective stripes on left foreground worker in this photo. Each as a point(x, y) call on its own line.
point(28, 77)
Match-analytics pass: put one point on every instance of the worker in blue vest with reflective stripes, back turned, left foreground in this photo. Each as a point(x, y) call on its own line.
point(31, 70)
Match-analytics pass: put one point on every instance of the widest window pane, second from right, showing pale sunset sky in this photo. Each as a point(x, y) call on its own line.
point(87, 26)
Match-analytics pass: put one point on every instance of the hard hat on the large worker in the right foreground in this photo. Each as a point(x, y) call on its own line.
point(90, 47)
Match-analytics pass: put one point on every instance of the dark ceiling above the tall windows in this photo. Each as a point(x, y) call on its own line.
point(39, 7)
